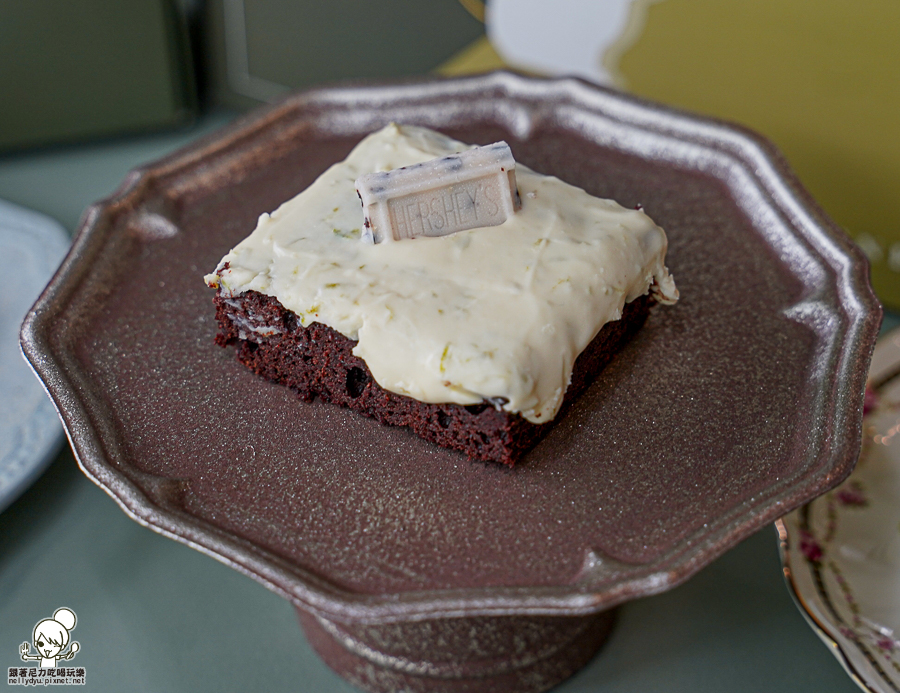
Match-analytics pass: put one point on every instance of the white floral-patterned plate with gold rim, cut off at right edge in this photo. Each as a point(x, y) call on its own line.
point(841, 552)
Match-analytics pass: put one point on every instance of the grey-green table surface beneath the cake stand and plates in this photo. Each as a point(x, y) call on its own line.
point(154, 615)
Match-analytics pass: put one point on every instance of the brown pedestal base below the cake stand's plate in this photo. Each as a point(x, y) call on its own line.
point(459, 655)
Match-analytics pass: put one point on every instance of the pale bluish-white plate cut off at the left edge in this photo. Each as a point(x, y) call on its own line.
point(31, 248)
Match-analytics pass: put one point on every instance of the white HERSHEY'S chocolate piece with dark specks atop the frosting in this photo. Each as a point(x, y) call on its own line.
point(472, 189)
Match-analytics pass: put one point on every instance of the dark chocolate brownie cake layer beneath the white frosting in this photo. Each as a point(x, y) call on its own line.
point(317, 361)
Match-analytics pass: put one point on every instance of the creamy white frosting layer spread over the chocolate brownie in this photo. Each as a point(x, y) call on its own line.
point(495, 313)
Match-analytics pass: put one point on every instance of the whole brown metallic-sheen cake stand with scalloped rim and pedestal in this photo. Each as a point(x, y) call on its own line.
point(413, 568)
